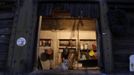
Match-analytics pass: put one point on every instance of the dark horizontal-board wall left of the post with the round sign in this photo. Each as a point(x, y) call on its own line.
point(6, 22)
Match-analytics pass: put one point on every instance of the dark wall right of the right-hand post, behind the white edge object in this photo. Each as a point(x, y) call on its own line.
point(121, 25)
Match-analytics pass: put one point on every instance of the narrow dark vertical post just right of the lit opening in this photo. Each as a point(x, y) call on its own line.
point(106, 38)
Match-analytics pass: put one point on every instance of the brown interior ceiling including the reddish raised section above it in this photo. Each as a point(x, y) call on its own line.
point(61, 20)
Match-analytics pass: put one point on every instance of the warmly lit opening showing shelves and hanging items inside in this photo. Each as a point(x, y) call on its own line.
point(66, 42)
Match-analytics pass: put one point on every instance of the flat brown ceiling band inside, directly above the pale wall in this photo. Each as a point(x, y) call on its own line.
point(68, 24)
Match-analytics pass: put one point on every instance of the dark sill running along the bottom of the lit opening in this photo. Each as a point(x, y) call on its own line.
point(68, 72)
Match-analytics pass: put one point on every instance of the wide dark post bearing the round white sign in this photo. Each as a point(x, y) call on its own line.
point(21, 51)
